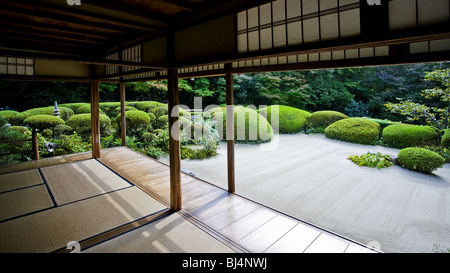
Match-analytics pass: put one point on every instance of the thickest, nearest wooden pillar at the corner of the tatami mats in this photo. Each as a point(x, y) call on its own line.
point(174, 140)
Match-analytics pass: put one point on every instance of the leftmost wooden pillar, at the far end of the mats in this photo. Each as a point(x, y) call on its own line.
point(95, 119)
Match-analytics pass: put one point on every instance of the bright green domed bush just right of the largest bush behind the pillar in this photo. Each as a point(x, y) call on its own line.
point(290, 119)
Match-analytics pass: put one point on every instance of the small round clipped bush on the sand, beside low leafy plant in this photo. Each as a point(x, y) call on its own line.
point(421, 160)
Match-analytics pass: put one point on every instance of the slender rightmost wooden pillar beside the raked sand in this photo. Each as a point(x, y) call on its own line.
point(230, 129)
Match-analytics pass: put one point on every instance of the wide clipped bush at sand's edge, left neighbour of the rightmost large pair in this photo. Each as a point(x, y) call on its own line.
point(355, 130)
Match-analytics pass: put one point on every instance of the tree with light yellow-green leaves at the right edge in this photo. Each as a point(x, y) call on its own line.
point(435, 114)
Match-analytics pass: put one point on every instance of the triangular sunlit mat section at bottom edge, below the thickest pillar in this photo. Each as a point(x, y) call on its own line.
point(172, 234)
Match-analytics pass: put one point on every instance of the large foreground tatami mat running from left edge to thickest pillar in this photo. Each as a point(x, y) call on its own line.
point(52, 229)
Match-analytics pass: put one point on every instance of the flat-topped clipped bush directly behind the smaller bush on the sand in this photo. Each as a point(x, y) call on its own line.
point(404, 135)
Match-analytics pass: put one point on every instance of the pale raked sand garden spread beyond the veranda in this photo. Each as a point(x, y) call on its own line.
point(310, 177)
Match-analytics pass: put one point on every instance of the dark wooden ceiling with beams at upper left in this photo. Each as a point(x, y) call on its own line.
point(95, 27)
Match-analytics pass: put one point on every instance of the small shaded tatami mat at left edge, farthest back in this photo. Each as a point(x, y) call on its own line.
point(19, 180)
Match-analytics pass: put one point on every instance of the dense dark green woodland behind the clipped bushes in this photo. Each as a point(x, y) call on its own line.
point(353, 91)
